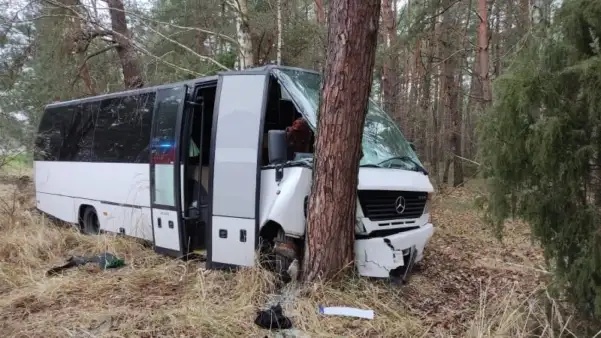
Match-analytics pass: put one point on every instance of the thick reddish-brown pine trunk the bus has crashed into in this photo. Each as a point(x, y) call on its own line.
point(352, 38)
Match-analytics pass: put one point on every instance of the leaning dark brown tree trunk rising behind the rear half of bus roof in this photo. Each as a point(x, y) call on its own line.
point(132, 75)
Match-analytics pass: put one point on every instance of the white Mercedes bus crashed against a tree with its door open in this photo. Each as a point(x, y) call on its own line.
point(203, 165)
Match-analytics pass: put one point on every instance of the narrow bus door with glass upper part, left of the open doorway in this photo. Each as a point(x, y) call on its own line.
point(165, 171)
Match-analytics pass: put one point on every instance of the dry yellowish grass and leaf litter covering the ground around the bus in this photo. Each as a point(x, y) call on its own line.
point(469, 285)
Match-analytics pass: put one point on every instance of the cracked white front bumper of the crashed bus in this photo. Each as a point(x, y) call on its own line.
point(379, 256)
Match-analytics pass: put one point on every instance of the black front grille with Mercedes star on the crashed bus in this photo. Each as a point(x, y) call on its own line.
point(382, 205)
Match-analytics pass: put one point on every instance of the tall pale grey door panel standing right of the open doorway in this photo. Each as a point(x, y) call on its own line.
point(232, 232)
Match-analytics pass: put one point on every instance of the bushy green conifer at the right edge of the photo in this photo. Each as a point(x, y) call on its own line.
point(541, 147)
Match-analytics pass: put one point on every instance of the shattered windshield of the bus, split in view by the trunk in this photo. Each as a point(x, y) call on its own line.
point(383, 143)
